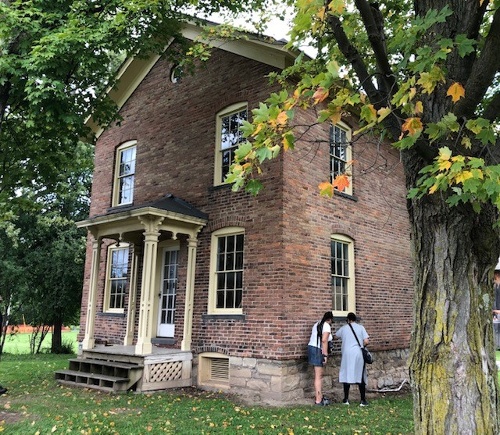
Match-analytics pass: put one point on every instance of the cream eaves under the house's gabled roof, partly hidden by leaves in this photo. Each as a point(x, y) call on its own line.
point(262, 49)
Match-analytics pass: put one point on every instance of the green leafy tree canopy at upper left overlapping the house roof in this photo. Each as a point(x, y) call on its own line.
point(57, 59)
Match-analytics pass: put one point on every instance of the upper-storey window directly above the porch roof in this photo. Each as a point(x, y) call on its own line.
point(125, 174)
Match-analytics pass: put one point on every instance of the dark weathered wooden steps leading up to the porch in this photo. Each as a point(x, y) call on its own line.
point(105, 375)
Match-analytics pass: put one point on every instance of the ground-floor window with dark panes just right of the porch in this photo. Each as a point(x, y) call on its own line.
point(226, 265)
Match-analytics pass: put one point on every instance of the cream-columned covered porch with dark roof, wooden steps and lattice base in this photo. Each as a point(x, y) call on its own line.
point(139, 359)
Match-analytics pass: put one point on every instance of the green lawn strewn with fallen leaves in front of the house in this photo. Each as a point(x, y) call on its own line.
point(36, 404)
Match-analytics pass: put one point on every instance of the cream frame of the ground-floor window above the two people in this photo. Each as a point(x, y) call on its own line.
point(343, 273)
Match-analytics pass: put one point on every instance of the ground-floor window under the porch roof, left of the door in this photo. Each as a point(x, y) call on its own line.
point(116, 282)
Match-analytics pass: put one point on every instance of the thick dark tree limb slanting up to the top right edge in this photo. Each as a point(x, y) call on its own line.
point(483, 71)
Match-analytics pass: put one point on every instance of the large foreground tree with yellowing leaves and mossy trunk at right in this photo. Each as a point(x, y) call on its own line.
point(425, 75)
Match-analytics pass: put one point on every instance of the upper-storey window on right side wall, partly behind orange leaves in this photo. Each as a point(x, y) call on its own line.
point(340, 154)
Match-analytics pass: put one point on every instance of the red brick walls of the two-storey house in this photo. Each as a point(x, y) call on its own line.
point(287, 227)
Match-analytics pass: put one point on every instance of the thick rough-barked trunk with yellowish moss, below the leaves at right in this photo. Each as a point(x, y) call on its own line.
point(452, 363)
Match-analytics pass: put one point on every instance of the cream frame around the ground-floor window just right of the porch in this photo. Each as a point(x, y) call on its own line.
point(212, 296)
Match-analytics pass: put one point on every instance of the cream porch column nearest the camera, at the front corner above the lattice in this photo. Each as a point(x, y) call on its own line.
point(148, 290)
